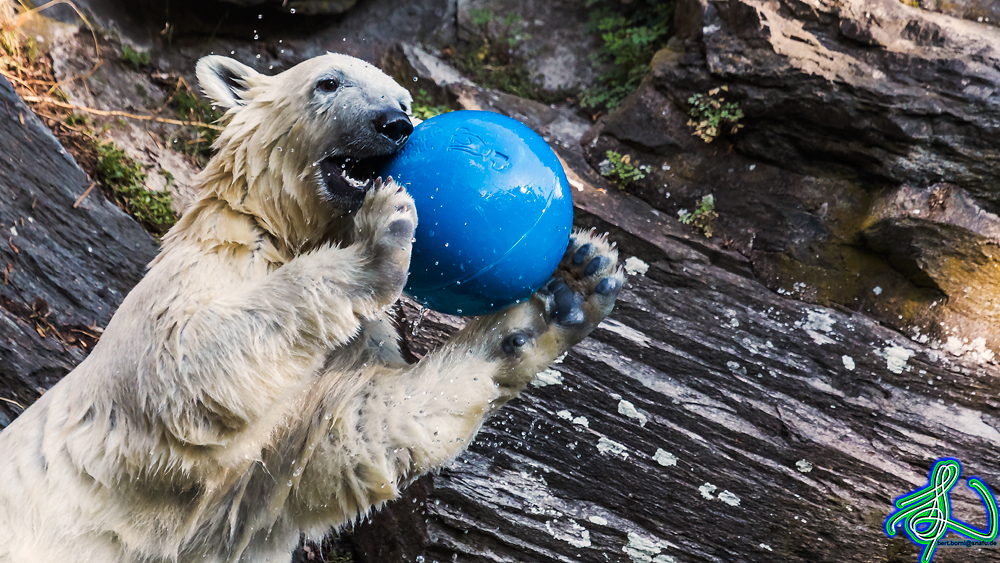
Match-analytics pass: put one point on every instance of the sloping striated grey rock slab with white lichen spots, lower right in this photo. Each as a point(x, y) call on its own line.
point(708, 419)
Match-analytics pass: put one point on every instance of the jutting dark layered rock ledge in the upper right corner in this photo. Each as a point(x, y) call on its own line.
point(875, 87)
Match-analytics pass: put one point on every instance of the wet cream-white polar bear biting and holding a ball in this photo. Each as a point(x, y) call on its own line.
point(250, 389)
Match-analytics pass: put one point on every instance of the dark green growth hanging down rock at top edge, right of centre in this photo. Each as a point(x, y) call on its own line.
point(630, 34)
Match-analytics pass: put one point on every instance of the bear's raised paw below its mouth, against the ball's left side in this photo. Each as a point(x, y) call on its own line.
point(385, 225)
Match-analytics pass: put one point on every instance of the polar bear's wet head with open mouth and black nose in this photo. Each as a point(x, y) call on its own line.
point(300, 148)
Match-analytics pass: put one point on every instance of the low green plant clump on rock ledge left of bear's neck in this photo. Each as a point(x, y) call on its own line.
point(125, 182)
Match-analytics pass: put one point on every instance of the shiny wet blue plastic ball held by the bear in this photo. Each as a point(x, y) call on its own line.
point(494, 211)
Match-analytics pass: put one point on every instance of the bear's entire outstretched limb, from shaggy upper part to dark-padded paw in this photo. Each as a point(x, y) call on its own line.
point(394, 425)
